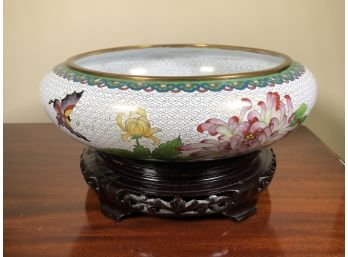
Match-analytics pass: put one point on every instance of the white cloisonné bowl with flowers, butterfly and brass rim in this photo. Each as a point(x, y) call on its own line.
point(178, 102)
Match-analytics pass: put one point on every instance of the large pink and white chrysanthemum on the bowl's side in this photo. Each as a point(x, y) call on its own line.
point(256, 126)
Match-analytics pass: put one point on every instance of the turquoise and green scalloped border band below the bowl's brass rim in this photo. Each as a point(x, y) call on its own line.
point(293, 72)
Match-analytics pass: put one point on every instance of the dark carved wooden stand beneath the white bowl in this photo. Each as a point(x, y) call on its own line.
point(178, 189)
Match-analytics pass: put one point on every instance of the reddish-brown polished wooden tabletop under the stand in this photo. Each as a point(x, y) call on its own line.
point(50, 211)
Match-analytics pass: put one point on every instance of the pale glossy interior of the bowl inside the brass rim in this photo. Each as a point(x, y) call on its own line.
point(179, 61)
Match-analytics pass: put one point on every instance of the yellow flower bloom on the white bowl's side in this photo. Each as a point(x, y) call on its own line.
point(136, 126)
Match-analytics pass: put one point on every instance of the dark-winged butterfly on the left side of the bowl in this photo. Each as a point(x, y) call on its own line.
point(63, 110)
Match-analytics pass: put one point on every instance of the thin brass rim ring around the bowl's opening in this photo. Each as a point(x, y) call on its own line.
point(285, 64)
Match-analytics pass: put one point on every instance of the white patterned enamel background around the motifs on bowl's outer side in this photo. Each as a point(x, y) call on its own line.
point(175, 114)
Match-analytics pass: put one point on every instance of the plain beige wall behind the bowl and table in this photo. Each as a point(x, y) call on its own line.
point(41, 33)
